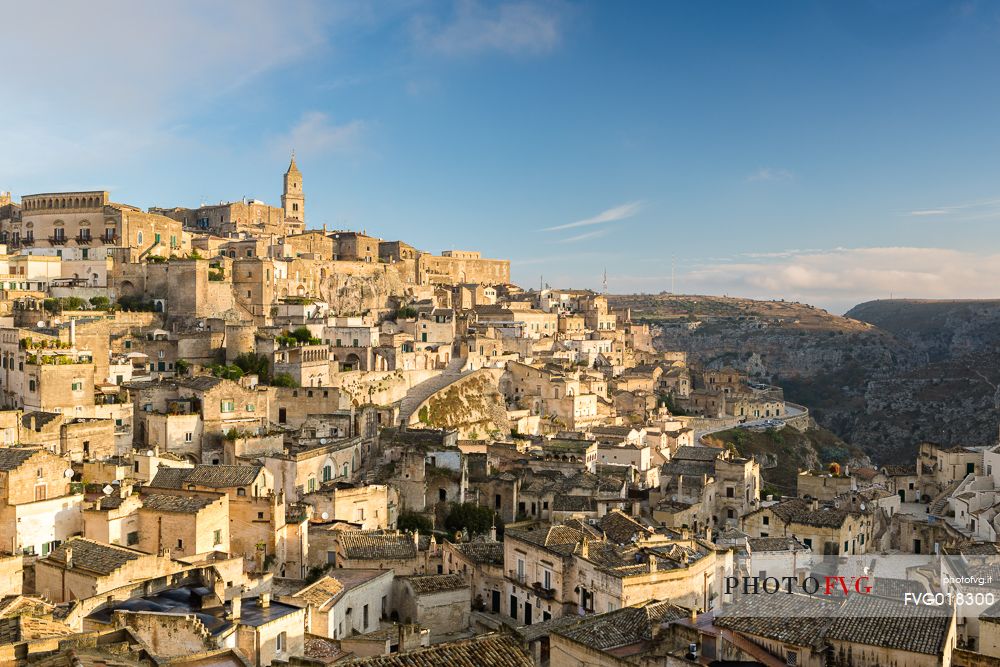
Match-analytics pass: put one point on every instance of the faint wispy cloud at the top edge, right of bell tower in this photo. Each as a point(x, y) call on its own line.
point(512, 28)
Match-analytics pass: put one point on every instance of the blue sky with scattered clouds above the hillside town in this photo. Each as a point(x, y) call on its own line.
point(824, 152)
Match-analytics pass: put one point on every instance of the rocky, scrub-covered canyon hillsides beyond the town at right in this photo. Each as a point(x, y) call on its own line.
point(885, 377)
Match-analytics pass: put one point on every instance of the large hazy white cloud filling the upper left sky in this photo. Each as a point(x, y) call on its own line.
point(106, 81)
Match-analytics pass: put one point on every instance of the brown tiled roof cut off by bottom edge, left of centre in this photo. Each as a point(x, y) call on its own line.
point(490, 650)
